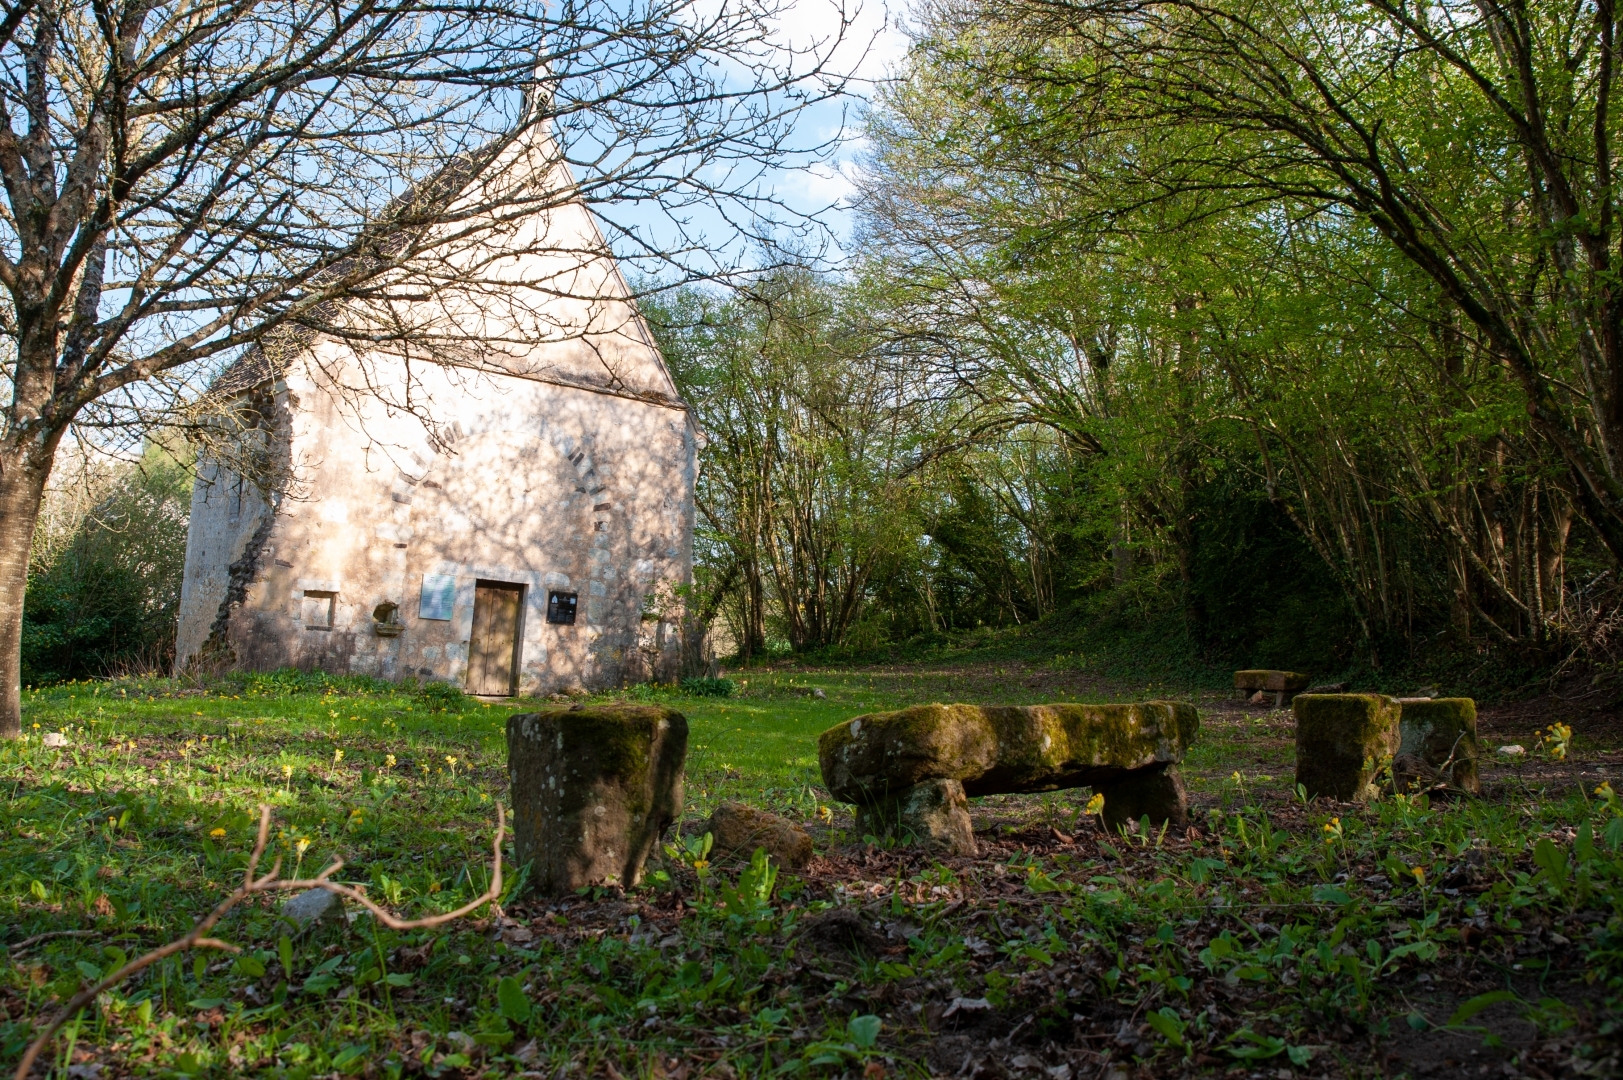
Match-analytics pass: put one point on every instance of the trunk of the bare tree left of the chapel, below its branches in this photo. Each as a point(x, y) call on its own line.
point(24, 475)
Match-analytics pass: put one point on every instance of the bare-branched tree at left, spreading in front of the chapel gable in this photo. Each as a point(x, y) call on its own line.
point(186, 181)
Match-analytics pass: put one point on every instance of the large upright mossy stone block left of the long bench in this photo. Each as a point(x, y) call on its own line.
point(593, 792)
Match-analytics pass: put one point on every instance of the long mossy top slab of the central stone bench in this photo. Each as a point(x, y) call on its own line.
point(1004, 750)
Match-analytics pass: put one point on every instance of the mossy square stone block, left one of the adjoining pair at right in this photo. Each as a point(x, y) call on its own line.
point(1341, 743)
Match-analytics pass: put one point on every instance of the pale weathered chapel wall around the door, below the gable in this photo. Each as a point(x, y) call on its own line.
point(533, 483)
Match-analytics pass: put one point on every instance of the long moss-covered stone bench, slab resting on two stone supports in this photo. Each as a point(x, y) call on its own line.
point(910, 774)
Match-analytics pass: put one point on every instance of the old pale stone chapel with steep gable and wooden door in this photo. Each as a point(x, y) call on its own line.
point(522, 529)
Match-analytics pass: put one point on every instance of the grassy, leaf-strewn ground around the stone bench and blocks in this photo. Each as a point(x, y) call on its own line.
point(1272, 938)
